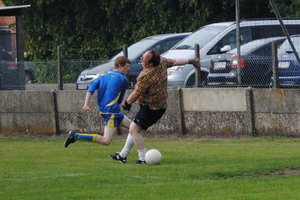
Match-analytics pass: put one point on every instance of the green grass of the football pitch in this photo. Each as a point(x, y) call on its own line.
point(41, 168)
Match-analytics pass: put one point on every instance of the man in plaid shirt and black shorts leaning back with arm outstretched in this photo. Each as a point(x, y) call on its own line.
point(151, 94)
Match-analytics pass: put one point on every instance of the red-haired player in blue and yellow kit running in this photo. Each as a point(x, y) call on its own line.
point(111, 89)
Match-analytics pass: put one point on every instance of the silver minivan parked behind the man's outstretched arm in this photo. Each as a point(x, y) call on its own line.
point(213, 38)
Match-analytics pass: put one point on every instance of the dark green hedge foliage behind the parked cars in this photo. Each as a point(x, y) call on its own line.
point(95, 29)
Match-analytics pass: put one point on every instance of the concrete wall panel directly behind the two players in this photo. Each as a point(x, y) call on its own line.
point(71, 116)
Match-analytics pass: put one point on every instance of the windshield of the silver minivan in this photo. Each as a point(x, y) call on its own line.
point(201, 37)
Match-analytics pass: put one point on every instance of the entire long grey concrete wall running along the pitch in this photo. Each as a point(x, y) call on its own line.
point(199, 112)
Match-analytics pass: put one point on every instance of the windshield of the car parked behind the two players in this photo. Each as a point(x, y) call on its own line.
point(135, 50)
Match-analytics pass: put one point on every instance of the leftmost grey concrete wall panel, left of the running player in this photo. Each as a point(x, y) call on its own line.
point(22, 111)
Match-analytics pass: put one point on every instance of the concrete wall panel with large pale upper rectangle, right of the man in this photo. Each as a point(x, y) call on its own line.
point(217, 112)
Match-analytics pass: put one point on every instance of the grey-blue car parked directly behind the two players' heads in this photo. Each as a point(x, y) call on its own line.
point(160, 43)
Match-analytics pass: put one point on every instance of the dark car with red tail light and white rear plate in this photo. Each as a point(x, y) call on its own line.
point(255, 65)
